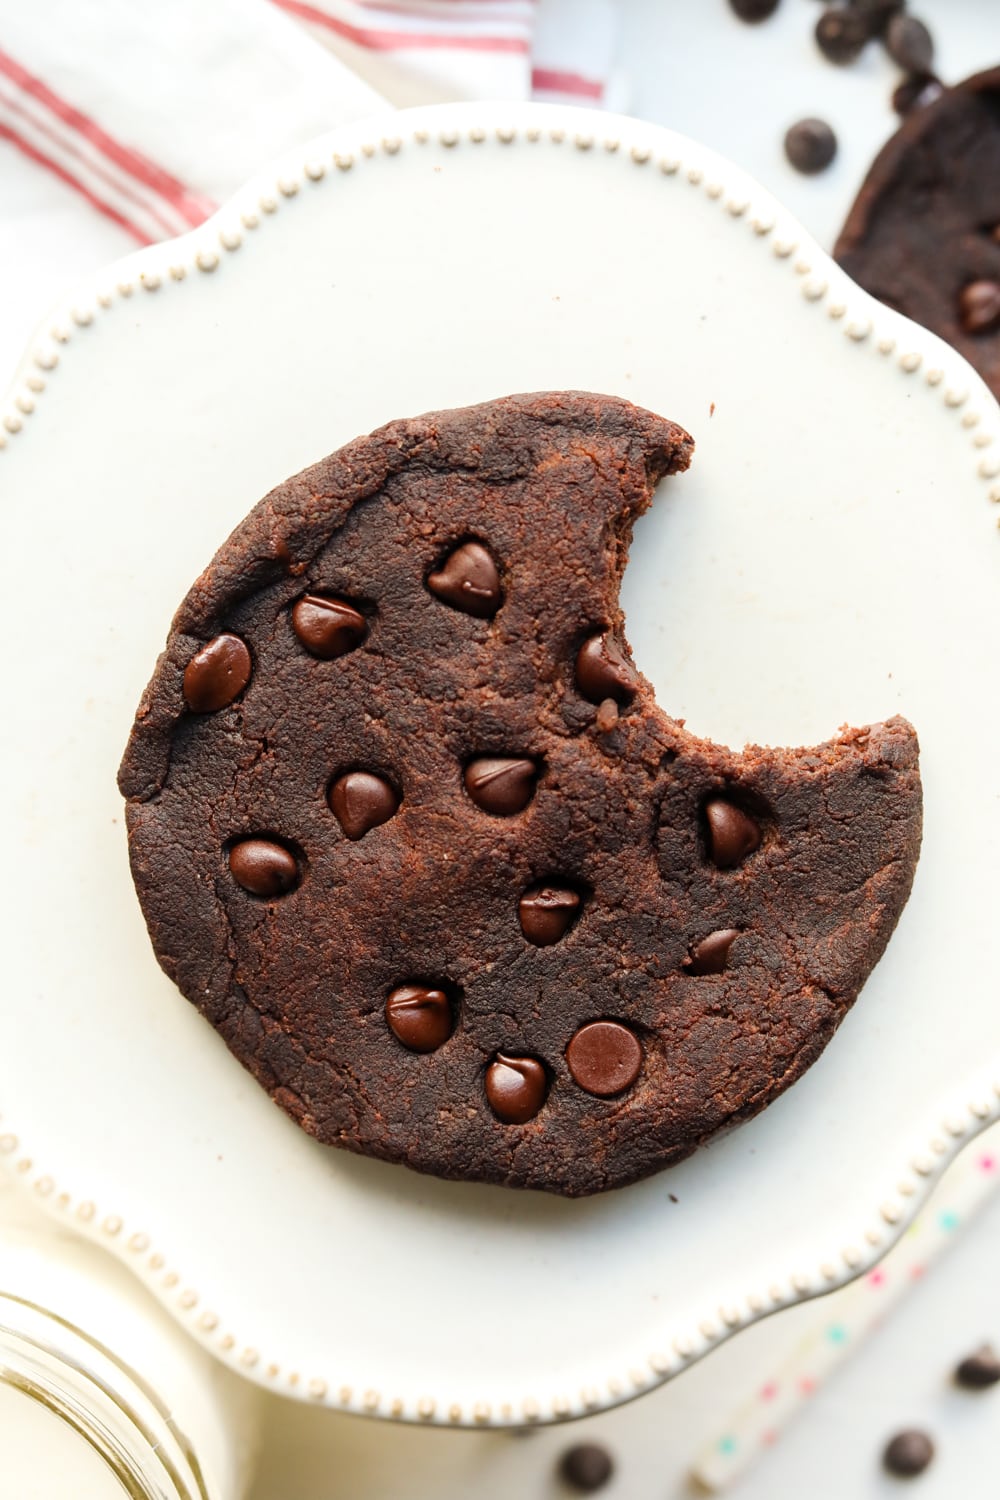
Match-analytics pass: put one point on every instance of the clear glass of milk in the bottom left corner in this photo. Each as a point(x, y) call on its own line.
point(101, 1394)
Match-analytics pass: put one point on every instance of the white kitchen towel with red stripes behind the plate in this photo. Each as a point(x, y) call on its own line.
point(152, 115)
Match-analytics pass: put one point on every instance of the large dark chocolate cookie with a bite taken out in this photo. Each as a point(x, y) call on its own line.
point(410, 830)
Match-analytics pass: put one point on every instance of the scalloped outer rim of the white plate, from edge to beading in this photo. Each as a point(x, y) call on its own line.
point(954, 1121)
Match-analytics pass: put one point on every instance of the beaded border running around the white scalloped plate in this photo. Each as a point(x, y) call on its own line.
point(226, 233)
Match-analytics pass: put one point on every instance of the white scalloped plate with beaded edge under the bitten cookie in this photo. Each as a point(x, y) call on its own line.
point(834, 557)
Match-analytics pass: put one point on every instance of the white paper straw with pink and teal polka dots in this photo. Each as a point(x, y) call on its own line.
point(846, 1318)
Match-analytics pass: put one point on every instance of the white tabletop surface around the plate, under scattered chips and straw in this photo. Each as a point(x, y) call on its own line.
point(737, 89)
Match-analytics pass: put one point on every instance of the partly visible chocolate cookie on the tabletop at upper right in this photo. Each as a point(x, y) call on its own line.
point(924, 233)
